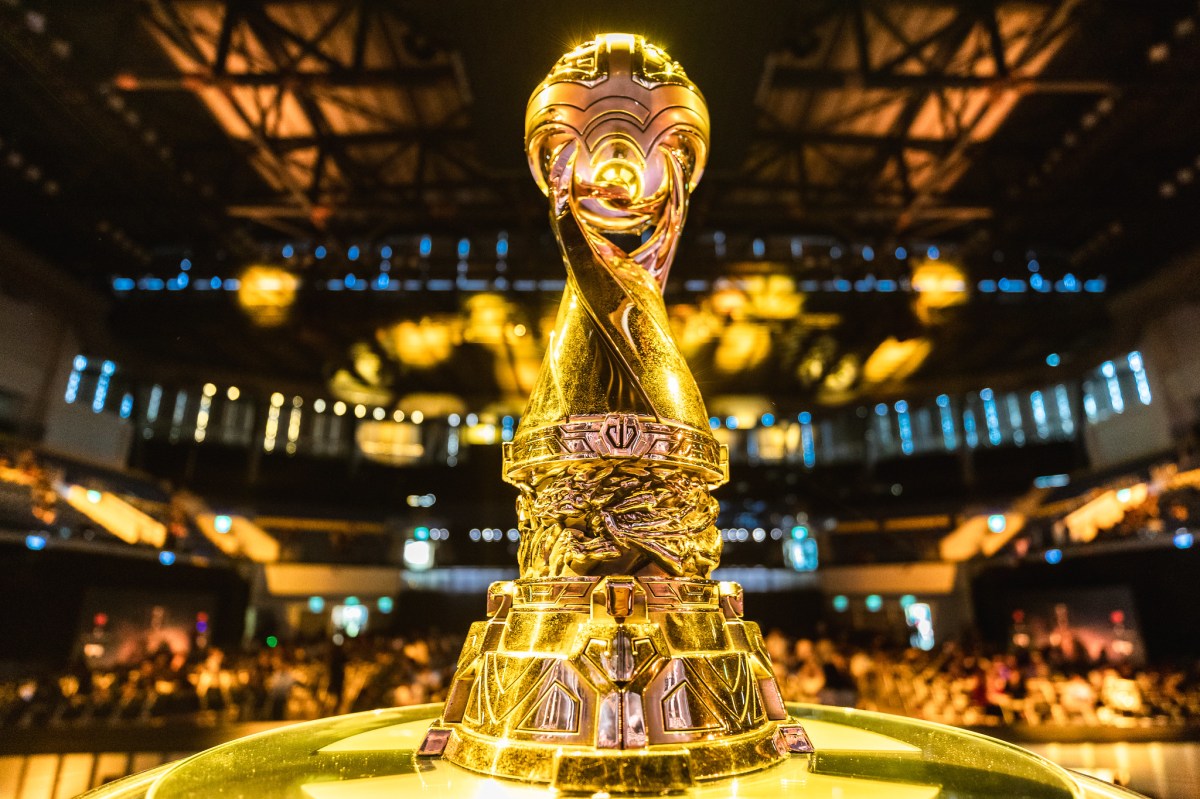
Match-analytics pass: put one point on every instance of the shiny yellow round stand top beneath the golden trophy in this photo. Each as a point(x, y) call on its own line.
point(375, 755)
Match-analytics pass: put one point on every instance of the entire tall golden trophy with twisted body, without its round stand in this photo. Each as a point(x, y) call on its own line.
point(614, 663)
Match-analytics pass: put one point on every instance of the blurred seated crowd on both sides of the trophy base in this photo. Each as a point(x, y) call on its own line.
point(953, 684)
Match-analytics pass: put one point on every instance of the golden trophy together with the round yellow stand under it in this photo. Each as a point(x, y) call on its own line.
point(615, 665)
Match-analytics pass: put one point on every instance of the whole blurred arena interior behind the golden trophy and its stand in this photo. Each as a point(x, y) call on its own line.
point(275, 284)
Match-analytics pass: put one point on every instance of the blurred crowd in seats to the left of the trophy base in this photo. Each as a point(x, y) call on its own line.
point(267, 684)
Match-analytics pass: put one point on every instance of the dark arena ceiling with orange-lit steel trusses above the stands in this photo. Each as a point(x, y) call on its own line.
point(854, 142)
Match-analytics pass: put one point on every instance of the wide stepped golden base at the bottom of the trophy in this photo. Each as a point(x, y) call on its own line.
point(615, 683)
